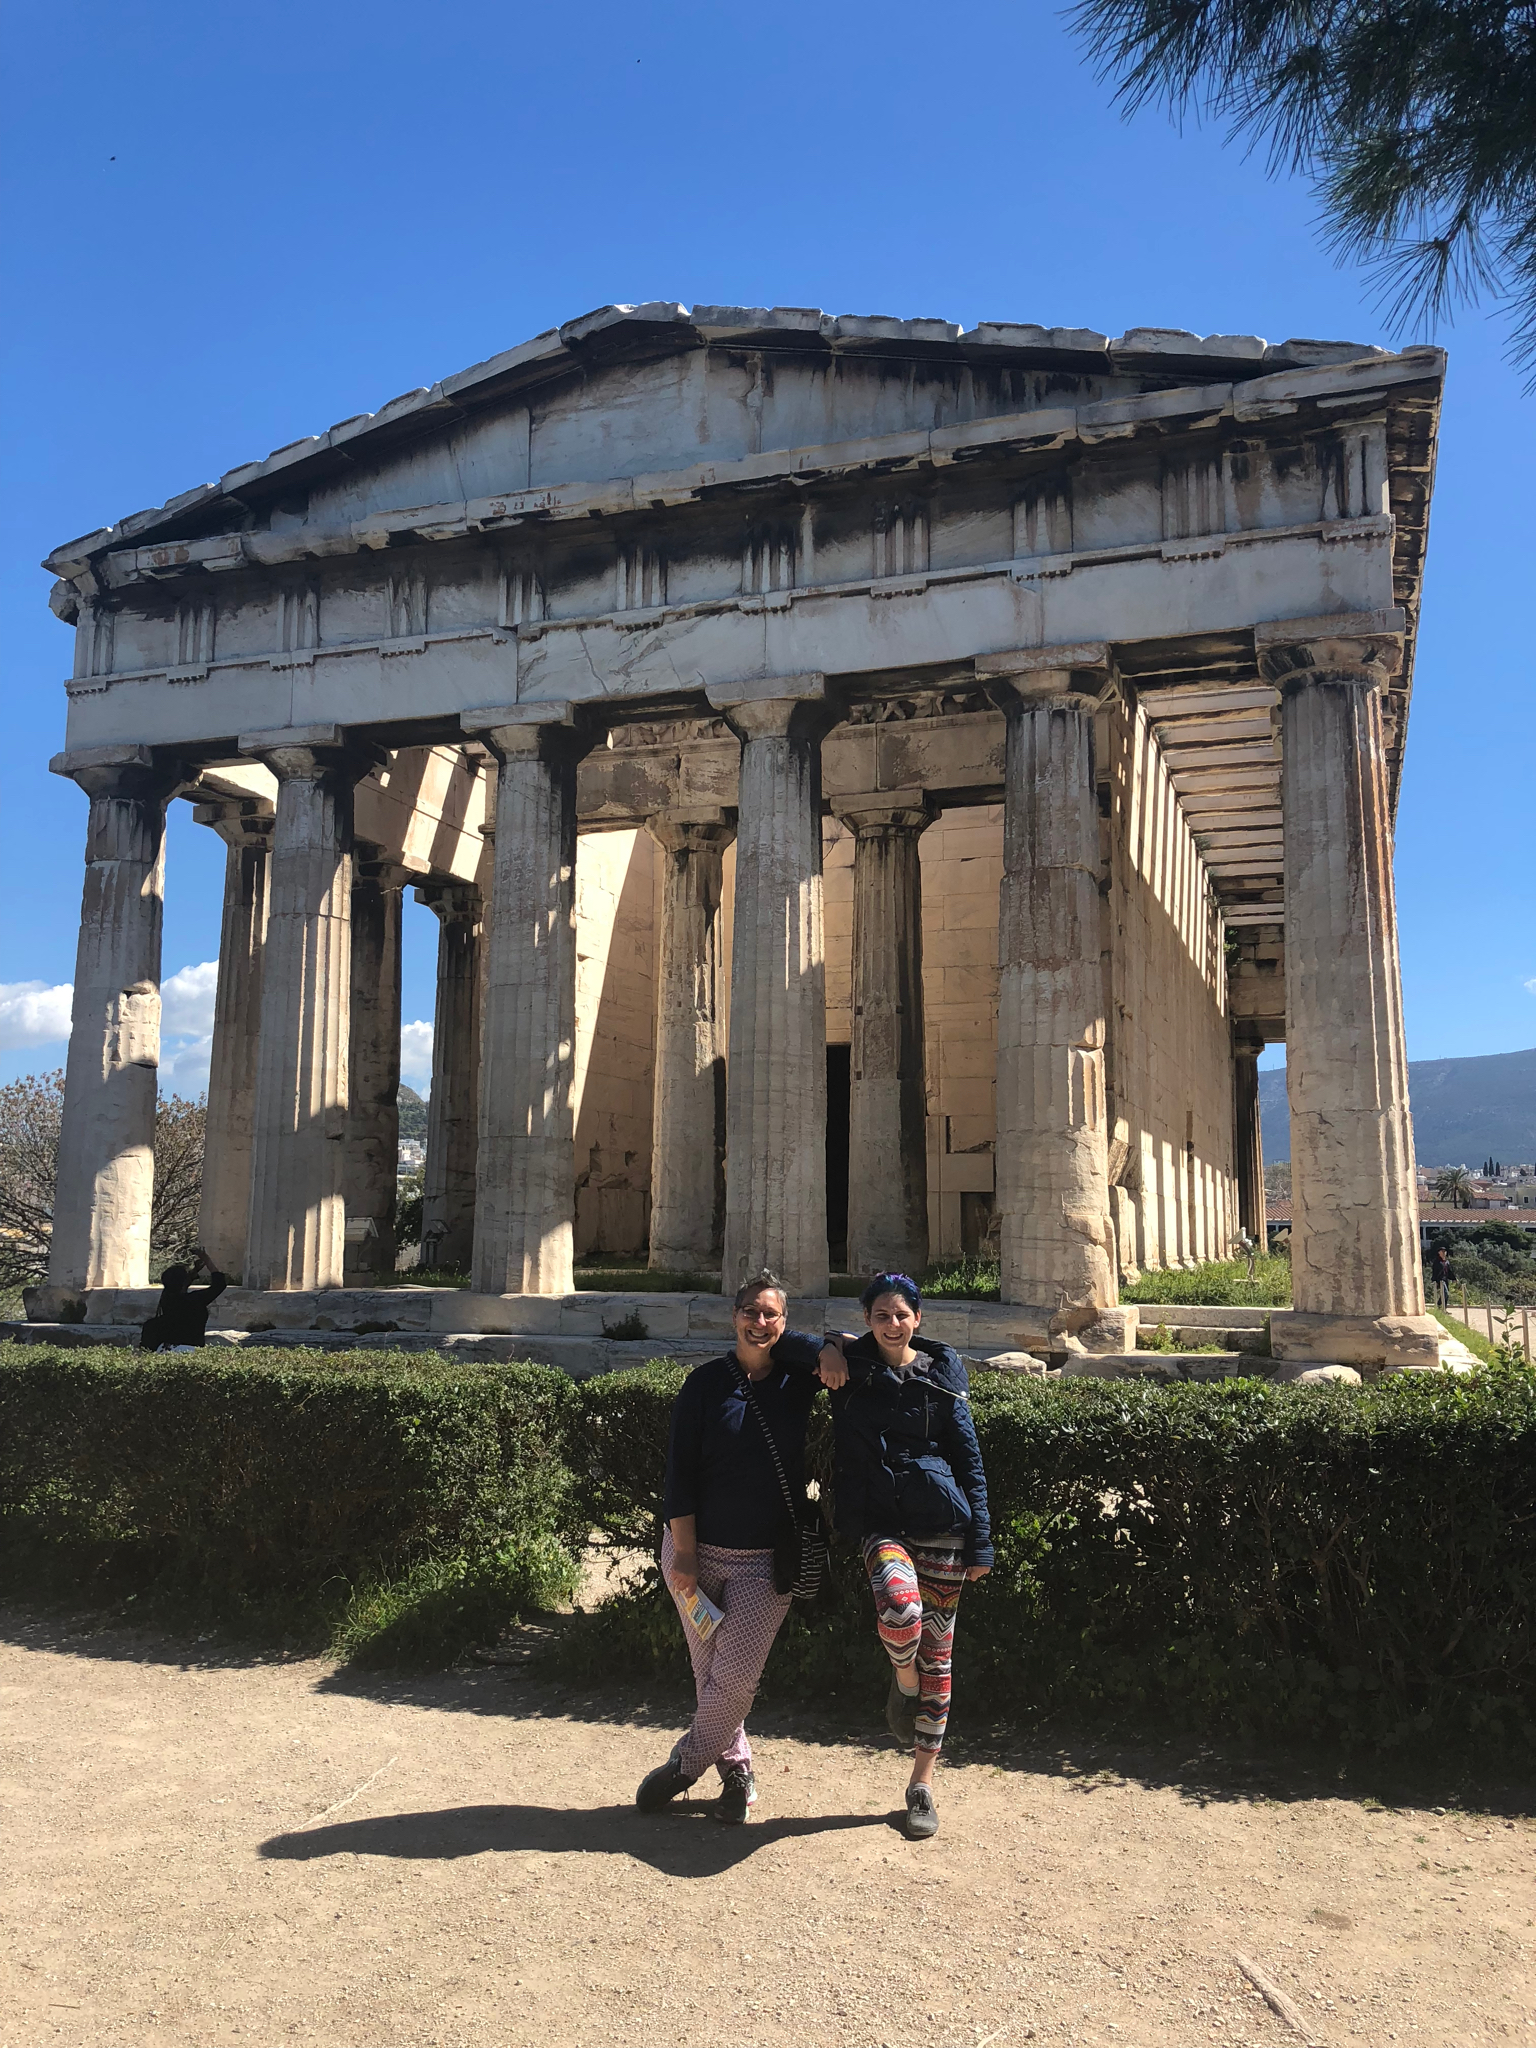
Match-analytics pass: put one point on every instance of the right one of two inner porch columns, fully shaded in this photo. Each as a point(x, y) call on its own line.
point(888, 1134)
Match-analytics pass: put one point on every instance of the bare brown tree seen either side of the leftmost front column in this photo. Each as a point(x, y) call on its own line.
point(32, 1113)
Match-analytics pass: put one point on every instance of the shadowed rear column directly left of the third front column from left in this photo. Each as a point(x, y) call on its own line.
point(452, 1113)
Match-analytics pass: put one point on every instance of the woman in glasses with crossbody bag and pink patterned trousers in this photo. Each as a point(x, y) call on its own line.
point(724, 1510)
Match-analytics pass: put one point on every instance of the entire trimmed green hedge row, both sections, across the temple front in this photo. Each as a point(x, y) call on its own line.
point(1355, 1566)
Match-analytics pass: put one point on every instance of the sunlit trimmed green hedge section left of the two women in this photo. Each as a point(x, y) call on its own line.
point(390, 1500)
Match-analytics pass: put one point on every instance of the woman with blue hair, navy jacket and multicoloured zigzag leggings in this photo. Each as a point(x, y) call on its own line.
point(912, 1494)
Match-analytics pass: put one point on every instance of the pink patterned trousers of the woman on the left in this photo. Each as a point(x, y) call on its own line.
point(728, 1664)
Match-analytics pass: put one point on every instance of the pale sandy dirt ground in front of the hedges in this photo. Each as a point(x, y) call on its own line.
point(206, 1848)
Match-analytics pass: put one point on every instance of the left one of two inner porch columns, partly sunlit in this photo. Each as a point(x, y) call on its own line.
point(689, 1121)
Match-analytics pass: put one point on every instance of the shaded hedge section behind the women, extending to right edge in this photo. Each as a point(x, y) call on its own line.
point(1353, 1566)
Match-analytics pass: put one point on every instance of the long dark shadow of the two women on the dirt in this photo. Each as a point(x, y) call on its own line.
point(683, 1842)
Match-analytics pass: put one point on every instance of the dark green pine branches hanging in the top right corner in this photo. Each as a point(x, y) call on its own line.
point(1416, 120)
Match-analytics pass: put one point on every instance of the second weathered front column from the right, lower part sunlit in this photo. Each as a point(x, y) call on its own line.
point(1052, 1113)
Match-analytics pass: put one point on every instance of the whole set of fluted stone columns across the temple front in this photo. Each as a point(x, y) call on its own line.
point(331, 957)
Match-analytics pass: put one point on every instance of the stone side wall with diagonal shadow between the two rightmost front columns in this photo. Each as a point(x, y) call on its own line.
point(1170, 1072)
